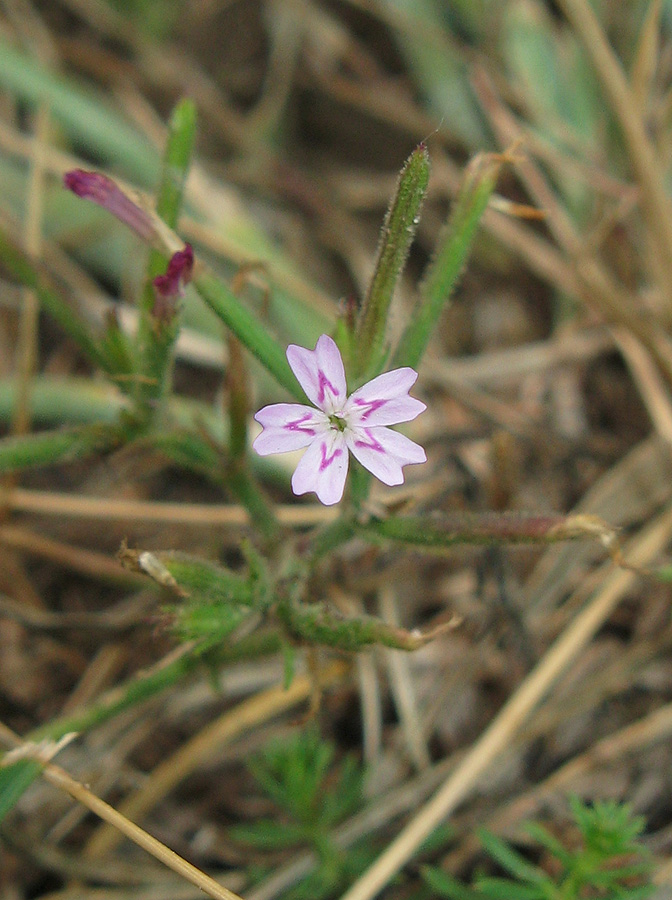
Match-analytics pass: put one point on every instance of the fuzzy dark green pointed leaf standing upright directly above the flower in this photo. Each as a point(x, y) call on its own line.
point(395, 241)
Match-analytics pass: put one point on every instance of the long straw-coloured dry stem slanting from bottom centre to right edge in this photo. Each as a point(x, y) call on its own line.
point(498, 735)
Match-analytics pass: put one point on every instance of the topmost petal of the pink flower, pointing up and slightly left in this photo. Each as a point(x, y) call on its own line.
point(320, 373)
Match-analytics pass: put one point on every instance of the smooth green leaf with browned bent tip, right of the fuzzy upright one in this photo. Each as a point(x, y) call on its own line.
point(454, 246)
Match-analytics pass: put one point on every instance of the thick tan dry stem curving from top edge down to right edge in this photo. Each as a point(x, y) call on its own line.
point(644, 161)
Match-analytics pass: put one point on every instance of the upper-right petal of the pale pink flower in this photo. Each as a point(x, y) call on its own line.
point(384, 400)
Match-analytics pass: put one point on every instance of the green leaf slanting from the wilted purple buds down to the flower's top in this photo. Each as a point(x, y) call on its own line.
point(249, 330)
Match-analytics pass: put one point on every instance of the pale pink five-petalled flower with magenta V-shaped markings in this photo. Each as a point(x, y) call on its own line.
point(340, 423)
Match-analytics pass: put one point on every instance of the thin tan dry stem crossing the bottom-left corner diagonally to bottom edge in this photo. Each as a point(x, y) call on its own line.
point(60, 779)
